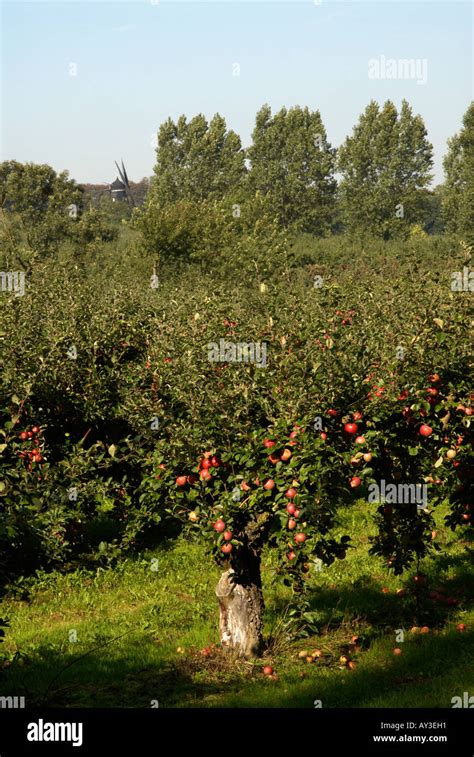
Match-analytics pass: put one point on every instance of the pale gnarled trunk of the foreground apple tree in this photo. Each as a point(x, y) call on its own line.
point(239, 592)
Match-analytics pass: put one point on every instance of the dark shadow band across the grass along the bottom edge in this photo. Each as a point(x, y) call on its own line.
point(426, 670)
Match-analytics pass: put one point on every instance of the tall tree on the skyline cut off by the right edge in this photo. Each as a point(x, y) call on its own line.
point(458, 190)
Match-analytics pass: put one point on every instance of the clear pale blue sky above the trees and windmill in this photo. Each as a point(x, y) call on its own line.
point(139, 62)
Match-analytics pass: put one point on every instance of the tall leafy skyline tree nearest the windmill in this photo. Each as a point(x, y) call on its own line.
point(196, 161)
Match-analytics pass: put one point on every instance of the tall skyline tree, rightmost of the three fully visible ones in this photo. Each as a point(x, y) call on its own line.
point(385, 167)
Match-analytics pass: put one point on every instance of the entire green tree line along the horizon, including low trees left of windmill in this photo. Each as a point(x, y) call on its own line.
point(377, 182)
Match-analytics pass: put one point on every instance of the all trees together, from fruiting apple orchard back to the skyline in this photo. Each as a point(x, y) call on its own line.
point(120, 434)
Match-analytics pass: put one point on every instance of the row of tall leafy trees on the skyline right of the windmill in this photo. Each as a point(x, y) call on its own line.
point(384, 167)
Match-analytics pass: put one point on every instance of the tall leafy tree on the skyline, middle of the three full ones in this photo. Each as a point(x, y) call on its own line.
point(292, 165)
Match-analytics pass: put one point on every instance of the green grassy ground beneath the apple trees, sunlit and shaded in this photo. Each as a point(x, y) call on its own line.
point(140, 632)
